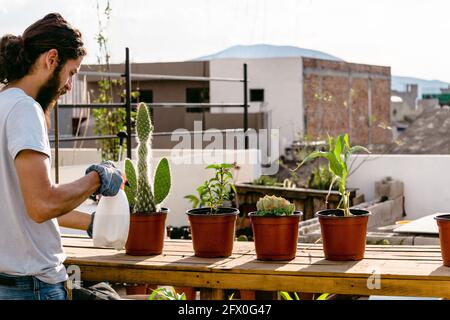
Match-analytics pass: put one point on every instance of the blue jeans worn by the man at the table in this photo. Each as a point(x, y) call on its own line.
point(30, 288)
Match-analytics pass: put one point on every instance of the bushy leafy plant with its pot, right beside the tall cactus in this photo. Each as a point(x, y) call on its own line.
point(212, 224)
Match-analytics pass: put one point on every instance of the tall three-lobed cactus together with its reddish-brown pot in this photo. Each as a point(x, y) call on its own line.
point(147, 221)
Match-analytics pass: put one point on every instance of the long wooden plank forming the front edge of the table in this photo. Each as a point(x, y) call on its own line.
point(298, 283)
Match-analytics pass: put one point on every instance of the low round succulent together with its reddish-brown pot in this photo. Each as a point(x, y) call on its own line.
point(275, 228)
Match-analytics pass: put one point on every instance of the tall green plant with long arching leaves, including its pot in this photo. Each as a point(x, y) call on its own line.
point(343, 229)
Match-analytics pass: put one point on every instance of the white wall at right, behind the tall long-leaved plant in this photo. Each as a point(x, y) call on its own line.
point(426, 180)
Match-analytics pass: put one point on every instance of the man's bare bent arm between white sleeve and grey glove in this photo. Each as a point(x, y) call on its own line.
point(43, 199)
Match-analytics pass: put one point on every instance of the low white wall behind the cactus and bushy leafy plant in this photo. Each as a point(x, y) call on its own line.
point(187, 173)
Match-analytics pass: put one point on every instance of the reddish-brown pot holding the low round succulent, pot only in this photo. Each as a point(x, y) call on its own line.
point(275, 237)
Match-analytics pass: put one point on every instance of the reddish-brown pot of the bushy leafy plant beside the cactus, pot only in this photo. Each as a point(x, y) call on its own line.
point(213, 234)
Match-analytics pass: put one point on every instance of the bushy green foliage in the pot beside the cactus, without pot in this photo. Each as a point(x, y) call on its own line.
point(213, 192)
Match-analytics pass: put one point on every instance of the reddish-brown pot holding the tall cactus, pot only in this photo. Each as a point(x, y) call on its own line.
point(146, 235)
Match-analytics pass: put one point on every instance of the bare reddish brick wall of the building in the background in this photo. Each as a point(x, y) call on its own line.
point(342, 97)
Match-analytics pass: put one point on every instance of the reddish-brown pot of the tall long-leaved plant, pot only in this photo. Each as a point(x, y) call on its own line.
point(344, 238)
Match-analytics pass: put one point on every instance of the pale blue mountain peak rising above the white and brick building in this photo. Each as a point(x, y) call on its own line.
point(267, 51)
